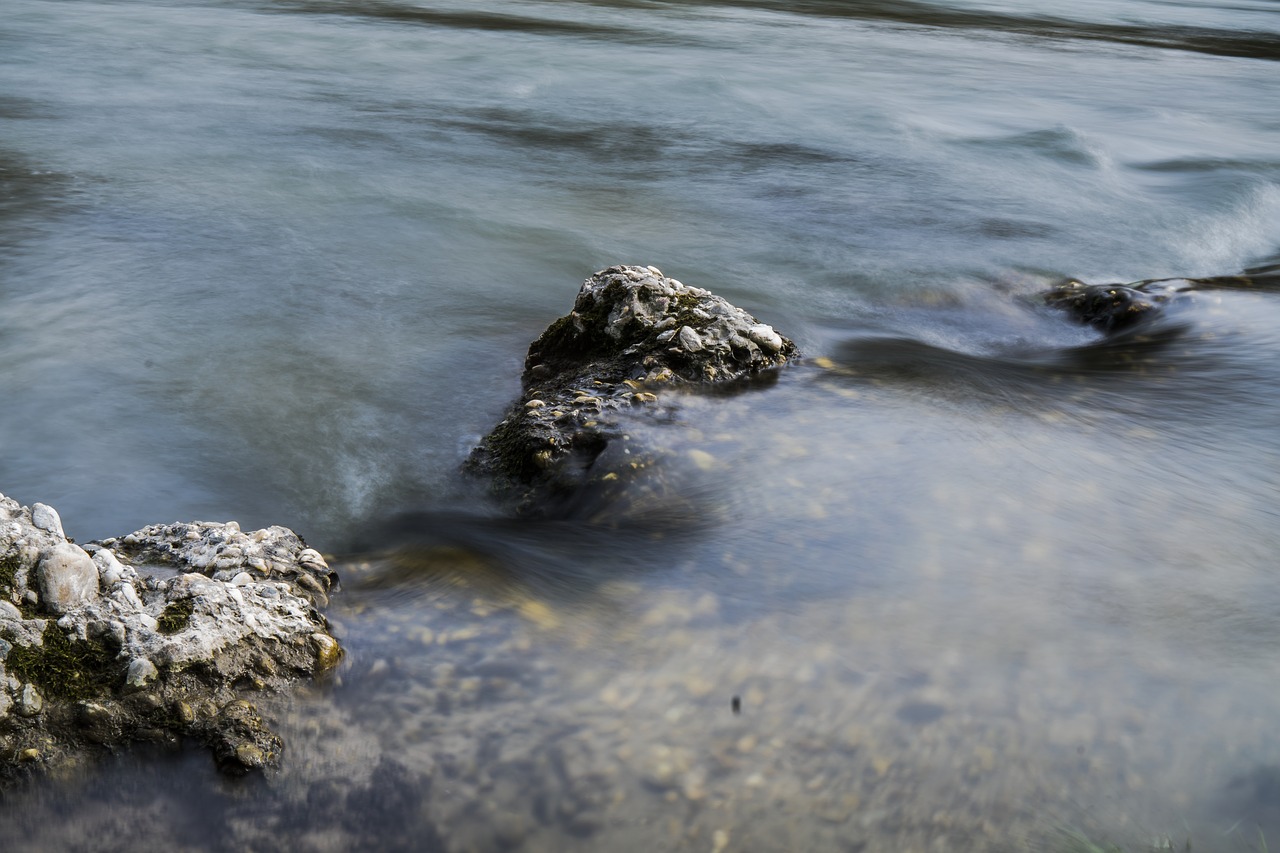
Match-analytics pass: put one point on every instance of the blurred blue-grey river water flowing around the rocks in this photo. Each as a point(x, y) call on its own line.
point(972, 578)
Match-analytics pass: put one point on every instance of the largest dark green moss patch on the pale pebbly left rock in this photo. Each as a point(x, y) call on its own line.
point(65, 668)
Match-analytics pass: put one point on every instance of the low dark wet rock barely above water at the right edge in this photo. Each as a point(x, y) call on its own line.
point(1114, 308)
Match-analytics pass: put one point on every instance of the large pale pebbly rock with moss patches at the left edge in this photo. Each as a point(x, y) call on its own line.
point(153, 636)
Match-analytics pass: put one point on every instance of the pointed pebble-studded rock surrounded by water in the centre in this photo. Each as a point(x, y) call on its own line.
point(633, 334)
